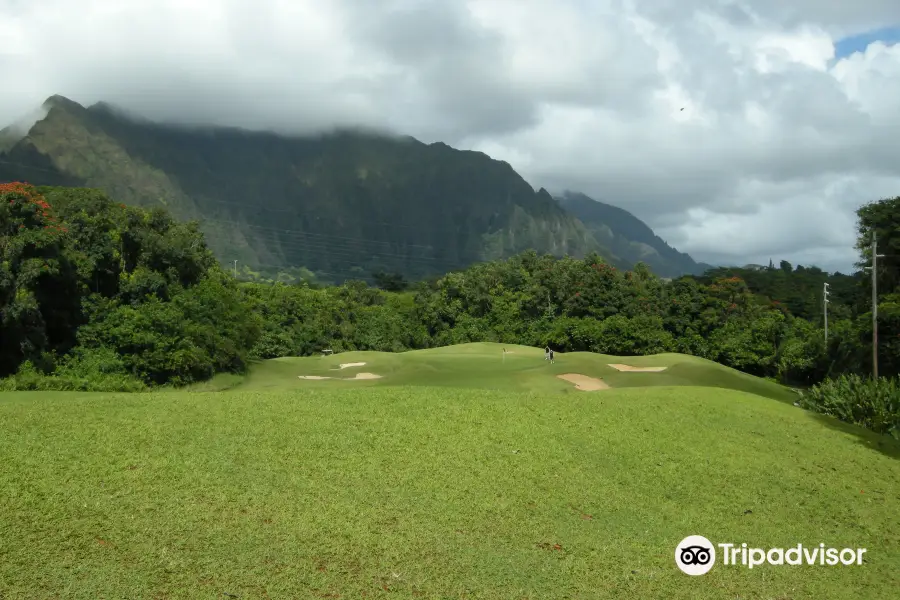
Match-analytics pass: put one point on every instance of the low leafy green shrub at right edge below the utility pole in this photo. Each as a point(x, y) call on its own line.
point(872, 403)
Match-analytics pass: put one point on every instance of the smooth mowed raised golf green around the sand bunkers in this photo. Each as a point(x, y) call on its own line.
point(484, 366)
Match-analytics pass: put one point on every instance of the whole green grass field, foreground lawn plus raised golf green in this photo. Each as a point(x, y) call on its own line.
point(458, 474)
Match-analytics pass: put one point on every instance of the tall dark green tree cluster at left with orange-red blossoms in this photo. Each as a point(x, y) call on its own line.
point(135, 288)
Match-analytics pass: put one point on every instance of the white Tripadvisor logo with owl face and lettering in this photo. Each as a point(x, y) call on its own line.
point(696, 555)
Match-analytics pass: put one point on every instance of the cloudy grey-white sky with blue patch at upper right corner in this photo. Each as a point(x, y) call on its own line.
point(739, 131)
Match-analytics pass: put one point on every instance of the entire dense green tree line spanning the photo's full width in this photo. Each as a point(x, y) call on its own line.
point(98, 295)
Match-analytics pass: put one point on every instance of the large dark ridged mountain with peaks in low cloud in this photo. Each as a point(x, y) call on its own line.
point(344, 204)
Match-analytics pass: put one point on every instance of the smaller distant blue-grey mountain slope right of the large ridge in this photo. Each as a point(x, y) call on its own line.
point(629, 238)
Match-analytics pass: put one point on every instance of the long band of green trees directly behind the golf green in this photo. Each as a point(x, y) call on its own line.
point(530, 299)
